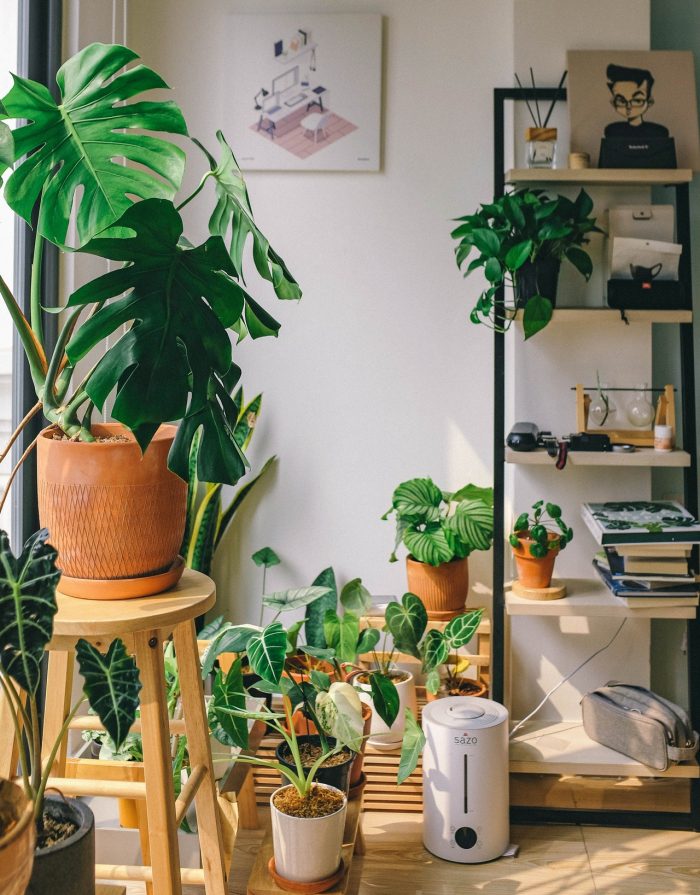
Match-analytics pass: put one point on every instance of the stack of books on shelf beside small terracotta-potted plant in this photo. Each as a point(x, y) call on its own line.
point(647, 552)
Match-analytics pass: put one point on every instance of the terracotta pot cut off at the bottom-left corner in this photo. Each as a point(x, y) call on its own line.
point(17, 845)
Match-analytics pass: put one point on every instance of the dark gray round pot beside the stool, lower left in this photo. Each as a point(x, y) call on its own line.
point(67, 868)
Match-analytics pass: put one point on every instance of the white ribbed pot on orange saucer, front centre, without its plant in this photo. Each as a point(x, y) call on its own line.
point(307, 849)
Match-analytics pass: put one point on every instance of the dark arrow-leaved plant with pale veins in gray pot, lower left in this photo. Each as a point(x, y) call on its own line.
point(64, 857)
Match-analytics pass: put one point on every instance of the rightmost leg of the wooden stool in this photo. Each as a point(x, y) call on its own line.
point(197, 730)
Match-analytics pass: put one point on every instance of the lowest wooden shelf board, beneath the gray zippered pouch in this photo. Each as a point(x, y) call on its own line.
point(562, 747)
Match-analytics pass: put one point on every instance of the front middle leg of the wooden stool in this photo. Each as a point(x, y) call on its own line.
point(165, 853)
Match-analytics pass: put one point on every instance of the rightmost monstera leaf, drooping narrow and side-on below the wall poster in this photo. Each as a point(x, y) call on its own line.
point(233, 214)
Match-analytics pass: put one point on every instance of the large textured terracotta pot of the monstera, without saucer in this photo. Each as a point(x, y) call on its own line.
point(111, 511)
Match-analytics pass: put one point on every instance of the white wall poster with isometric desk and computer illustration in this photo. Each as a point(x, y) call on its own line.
point(304, 91)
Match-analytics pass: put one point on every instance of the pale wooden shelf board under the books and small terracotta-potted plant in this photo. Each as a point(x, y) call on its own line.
point(590, 597)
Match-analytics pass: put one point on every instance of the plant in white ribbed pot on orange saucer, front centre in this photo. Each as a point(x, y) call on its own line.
point(308, 817)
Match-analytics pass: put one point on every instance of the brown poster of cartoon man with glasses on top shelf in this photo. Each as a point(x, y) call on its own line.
point(634, 95)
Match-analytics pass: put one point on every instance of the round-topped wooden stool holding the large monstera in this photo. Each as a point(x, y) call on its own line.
point(144, 624)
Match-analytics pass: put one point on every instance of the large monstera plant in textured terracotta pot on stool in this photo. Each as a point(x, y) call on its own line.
point(156, 328)
